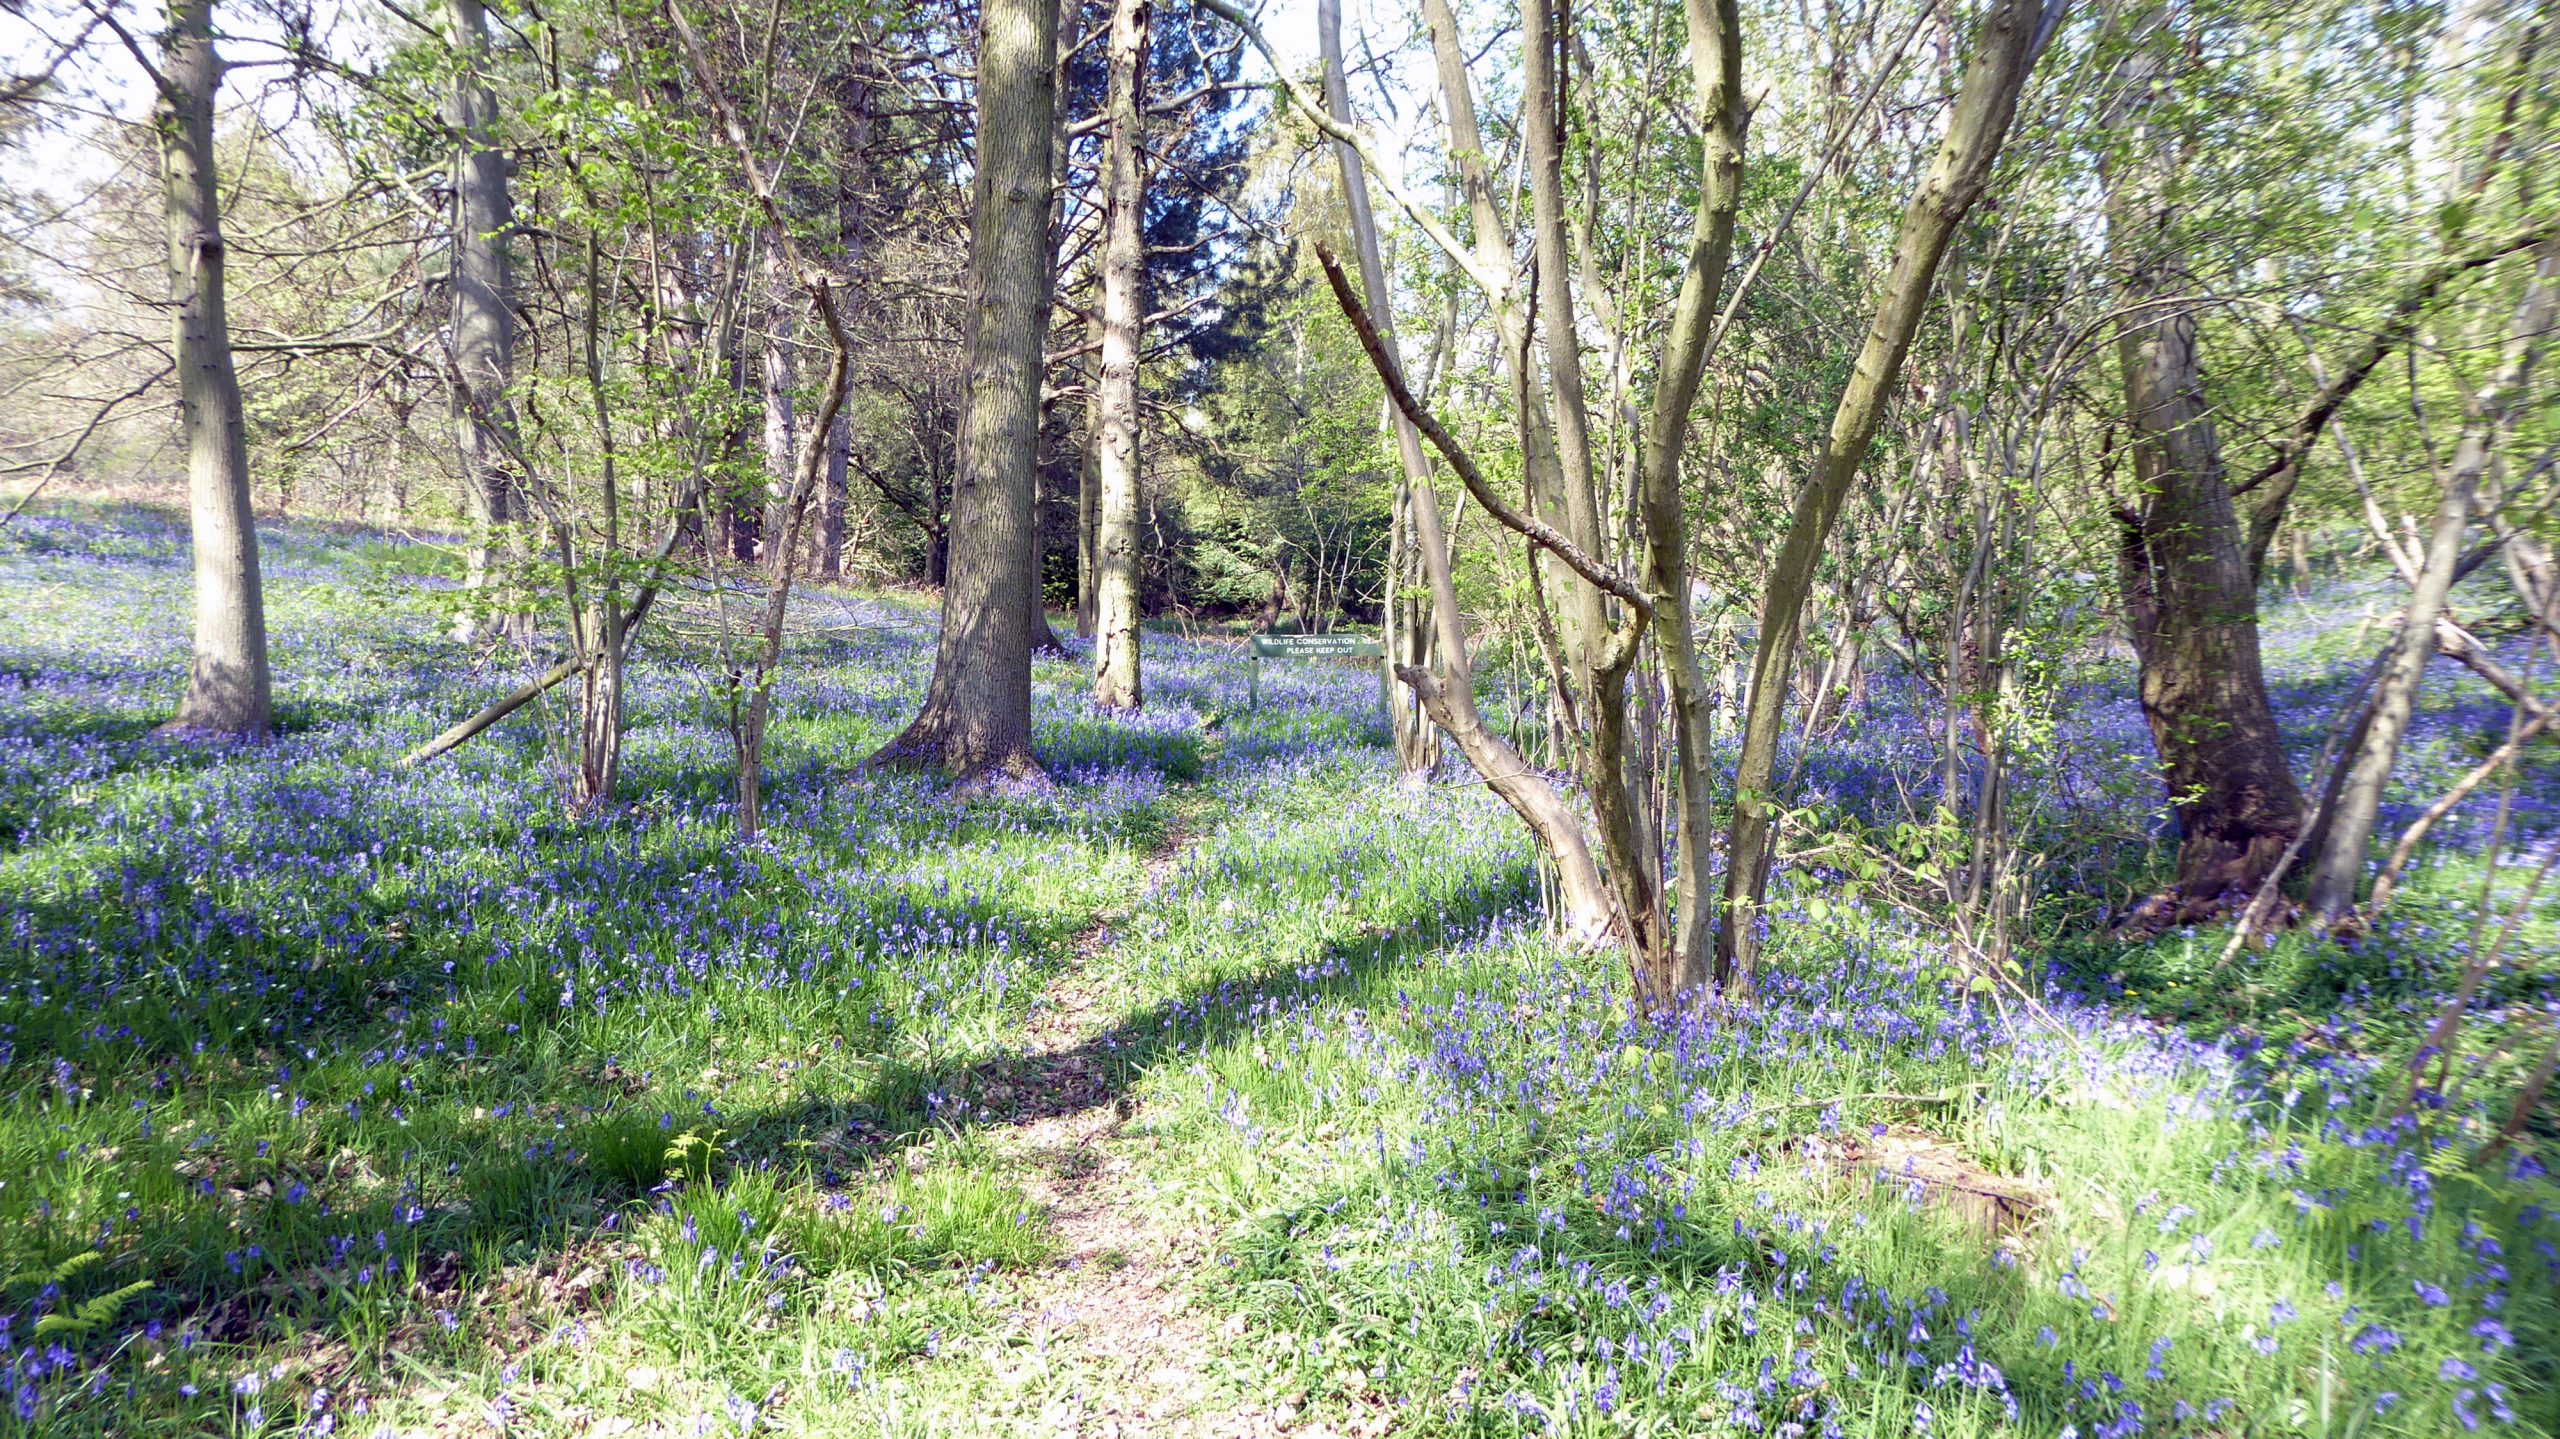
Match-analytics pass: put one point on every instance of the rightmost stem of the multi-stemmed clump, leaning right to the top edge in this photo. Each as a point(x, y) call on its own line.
point(2006, 50)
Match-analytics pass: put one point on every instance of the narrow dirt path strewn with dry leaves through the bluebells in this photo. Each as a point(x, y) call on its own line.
point(1110, 1335)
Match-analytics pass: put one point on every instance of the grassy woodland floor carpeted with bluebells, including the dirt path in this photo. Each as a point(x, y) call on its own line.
point(1230, 1089)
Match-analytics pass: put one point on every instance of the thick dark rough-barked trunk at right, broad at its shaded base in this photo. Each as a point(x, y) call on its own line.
point(2188, 583)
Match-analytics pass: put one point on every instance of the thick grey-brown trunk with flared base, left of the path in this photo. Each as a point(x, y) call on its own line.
point(977, 718)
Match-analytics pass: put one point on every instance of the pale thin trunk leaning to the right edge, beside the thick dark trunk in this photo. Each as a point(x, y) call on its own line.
point(2359, 792)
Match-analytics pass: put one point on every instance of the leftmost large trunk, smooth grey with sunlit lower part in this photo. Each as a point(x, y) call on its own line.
point(229, 685)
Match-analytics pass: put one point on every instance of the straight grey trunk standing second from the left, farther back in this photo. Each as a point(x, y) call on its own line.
point(483, 311)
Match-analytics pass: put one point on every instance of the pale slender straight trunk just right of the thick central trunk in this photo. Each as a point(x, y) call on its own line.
point(1125, 306)
